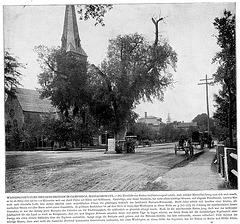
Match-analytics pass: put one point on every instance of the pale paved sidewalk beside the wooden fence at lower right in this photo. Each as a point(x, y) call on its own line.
point(199, 174)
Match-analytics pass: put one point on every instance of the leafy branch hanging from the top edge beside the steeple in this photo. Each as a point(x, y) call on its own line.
point(96, 12)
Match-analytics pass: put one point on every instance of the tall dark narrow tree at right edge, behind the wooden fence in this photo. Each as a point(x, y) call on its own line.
point(226, 72)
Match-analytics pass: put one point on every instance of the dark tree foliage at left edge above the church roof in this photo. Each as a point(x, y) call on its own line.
point(12, 73)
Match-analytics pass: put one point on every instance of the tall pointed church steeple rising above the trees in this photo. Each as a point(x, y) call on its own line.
point(70, 39)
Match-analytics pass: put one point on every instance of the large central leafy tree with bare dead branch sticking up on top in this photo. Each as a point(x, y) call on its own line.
point(133, 70)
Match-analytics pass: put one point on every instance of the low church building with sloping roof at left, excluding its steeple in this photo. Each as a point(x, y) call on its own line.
point(26, 107)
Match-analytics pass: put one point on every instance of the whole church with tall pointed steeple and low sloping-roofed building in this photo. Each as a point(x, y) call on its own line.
point(27, 105)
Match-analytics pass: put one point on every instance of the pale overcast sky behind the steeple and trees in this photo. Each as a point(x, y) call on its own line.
point(188, 27)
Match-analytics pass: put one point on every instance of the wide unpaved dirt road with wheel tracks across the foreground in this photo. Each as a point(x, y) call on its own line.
point(87, 170)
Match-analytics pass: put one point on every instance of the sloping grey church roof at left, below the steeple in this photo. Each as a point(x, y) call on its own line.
point(30, 101)
